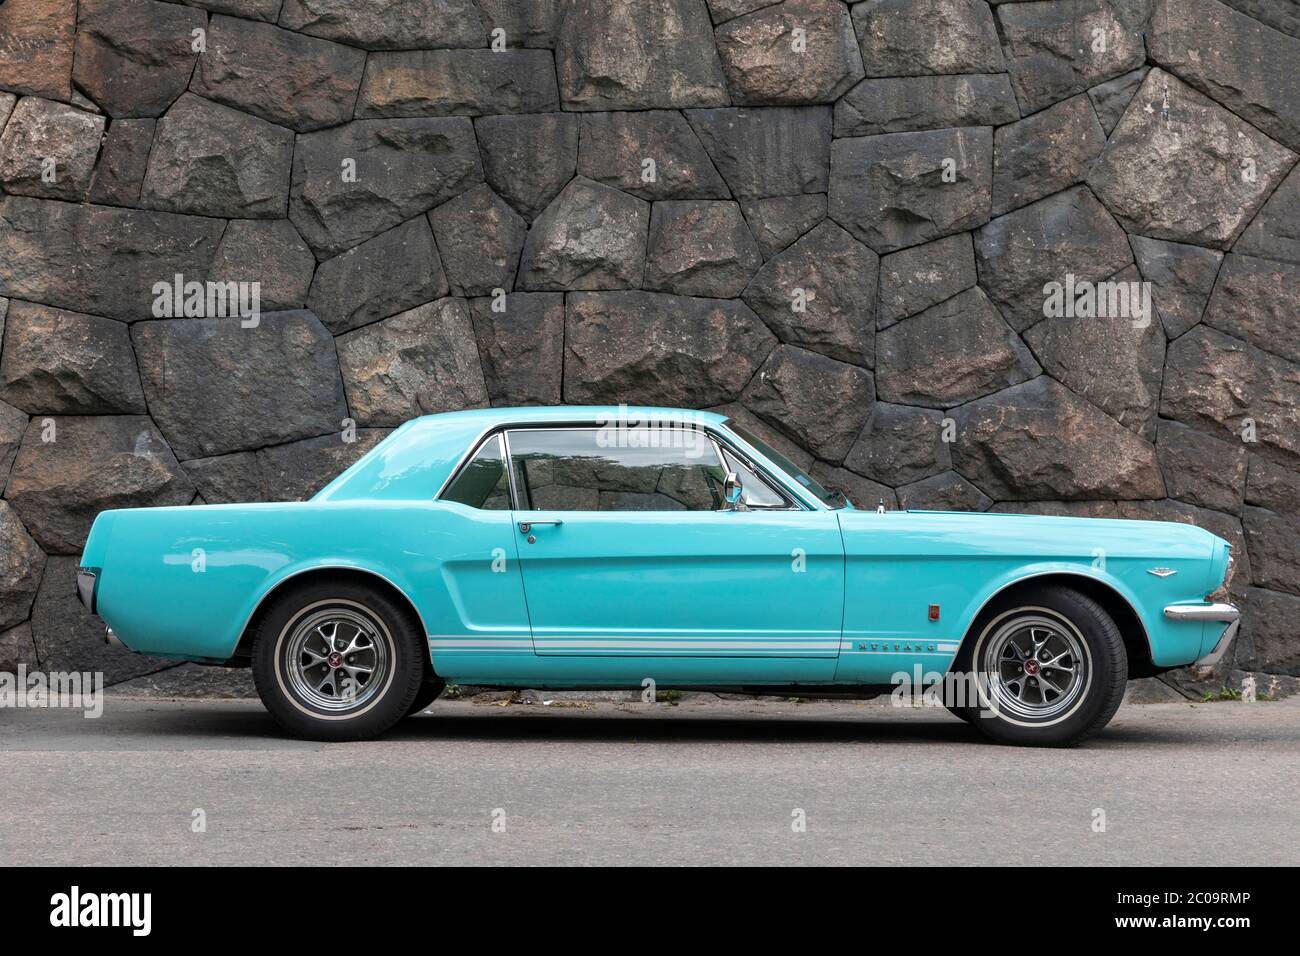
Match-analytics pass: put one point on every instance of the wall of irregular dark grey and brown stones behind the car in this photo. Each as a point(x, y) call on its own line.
point(834, 220)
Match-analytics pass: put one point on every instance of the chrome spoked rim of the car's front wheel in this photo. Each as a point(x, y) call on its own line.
point(1037, 669)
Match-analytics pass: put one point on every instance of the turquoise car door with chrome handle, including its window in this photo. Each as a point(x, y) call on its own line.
point(627, 551)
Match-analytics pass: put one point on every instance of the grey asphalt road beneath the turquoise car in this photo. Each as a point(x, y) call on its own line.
point(705, 782)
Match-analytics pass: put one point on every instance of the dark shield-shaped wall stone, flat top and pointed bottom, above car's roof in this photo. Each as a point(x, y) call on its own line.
point(528, 159)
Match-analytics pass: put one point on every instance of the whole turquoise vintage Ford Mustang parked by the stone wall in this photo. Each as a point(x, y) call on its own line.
point(612, 547)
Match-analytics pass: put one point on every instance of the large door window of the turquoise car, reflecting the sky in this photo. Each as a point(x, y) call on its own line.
point(582, 470)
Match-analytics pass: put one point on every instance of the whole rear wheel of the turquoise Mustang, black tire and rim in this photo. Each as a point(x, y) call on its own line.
point(388, 637)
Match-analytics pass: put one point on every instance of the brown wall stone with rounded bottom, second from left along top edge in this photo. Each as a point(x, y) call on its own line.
point(135, 58)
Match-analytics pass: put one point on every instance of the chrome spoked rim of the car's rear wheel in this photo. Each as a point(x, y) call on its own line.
point(337, 659)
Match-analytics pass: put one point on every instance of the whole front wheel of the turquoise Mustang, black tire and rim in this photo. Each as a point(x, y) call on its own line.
point(1080, 634)
